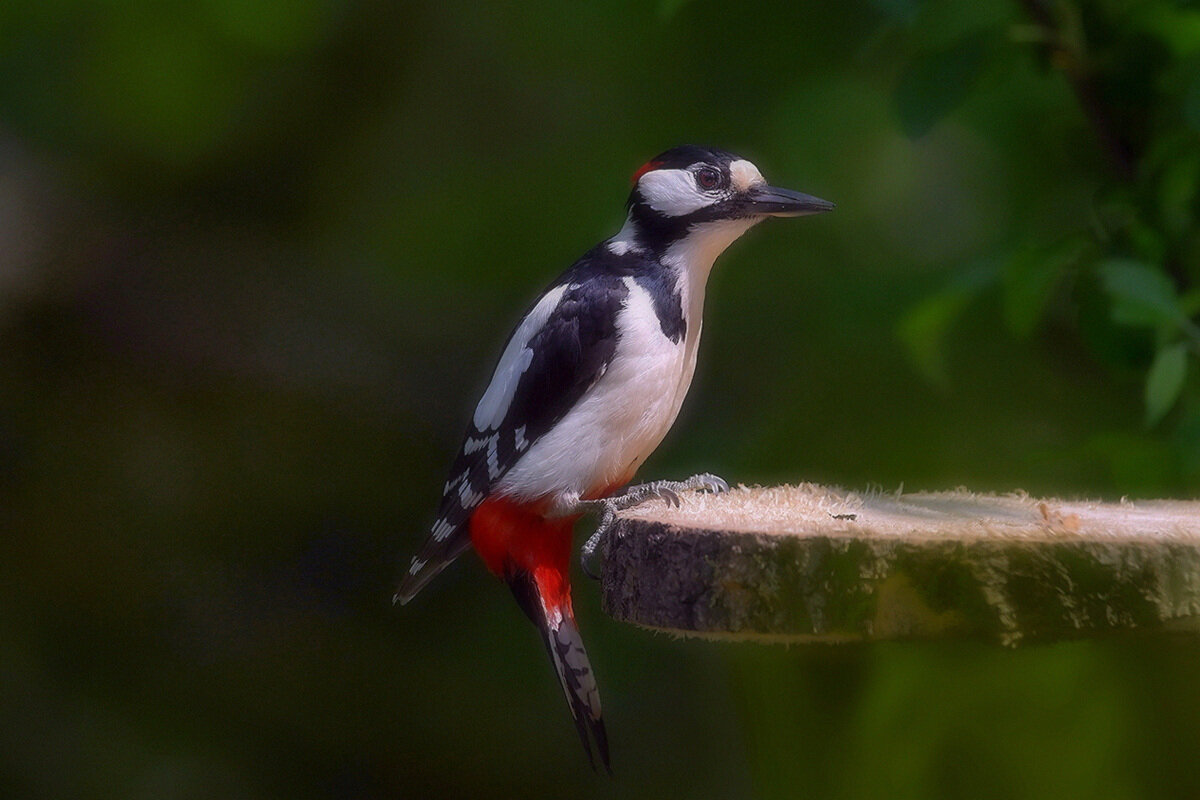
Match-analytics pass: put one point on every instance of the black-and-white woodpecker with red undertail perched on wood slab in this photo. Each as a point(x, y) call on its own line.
point(586, 388)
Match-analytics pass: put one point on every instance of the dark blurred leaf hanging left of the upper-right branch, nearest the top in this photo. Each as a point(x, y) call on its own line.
point(937, 83)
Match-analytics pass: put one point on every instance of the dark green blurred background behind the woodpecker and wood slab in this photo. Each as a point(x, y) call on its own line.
point(256, 260)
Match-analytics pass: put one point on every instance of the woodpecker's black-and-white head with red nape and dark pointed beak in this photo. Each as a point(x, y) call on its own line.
point(692, 190)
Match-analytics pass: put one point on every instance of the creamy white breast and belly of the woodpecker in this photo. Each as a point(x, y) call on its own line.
point(622, 419)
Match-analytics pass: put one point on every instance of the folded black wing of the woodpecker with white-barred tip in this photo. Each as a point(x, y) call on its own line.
point(566, 357)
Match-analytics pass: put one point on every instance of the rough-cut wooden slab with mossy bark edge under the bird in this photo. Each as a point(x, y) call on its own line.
point(815, 564)
